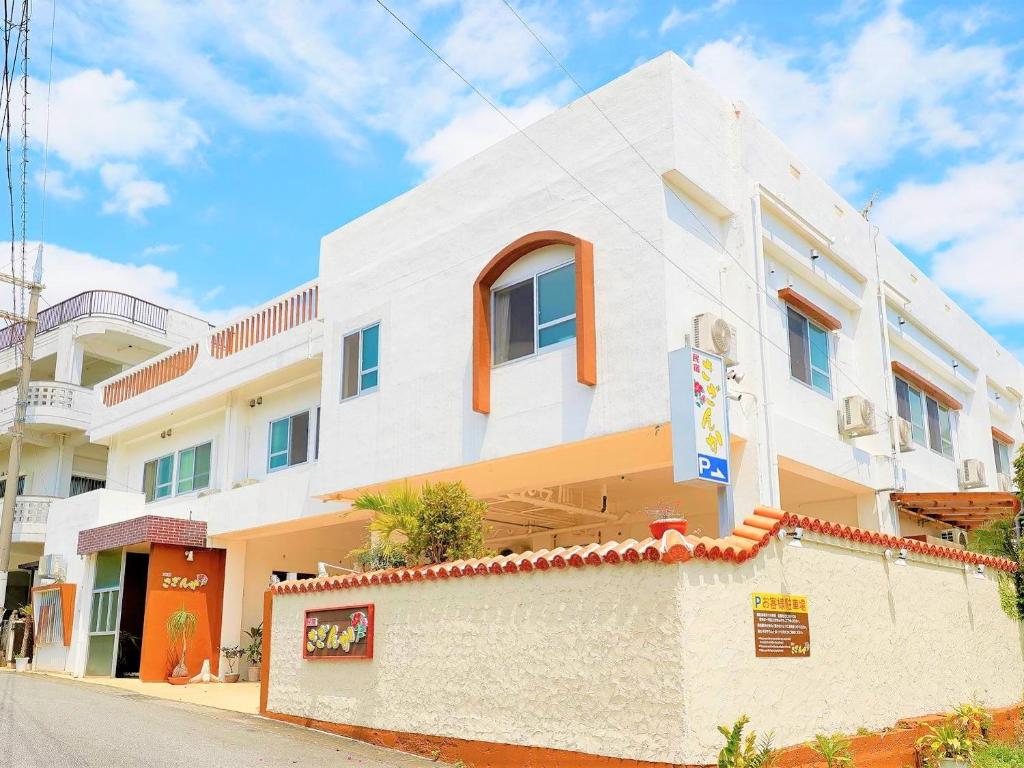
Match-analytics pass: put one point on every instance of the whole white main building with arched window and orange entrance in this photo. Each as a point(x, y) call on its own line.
point(509, 326)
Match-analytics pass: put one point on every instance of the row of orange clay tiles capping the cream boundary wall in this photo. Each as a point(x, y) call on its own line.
point(744, 544)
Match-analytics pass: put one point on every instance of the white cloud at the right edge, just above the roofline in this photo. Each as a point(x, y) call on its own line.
point(975, 218)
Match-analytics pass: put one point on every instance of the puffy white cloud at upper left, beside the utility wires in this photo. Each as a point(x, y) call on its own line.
point(98, 117)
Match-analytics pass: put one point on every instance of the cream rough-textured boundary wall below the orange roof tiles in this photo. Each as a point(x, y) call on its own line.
point(645, 662)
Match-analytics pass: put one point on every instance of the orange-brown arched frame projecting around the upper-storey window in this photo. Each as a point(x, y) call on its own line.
point(585, 339)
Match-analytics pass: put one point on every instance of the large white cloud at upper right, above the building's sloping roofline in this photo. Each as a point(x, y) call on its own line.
point(891, 89)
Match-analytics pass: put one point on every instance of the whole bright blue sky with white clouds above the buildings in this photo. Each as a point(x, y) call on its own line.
point(199, 151)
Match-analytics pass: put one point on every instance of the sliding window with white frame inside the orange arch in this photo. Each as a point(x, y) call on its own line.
point(534, 314)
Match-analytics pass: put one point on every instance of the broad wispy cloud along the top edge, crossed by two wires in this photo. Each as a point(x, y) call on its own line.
point(340, 70)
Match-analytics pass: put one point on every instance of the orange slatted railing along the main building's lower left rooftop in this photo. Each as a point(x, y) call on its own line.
point(264, 324)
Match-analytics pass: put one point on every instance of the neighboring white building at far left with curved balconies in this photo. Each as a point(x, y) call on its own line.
point(80, 344)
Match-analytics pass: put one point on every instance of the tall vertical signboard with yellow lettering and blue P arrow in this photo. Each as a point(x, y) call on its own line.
point(700, 417)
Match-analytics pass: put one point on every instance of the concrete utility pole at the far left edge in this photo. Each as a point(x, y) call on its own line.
point(18, 431)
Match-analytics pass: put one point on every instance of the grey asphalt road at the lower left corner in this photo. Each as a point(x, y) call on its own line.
point(52, 723)
